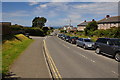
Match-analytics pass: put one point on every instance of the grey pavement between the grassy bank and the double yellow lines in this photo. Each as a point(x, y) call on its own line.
point(31, 63)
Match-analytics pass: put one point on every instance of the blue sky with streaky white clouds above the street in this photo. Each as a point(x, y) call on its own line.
point(57, 13)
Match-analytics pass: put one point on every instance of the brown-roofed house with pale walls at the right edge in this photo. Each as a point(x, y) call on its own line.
point(108, 22)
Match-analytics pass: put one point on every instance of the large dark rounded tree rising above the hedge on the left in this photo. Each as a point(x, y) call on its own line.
point(39, 22)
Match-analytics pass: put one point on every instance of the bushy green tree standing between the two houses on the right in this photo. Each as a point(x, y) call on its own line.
point(92, 26)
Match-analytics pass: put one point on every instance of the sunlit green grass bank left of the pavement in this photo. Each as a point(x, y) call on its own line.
point(11, 49)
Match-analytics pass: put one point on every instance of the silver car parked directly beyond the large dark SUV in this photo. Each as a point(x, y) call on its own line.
point(85, 43)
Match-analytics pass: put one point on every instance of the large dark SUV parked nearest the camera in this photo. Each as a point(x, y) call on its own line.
point(108, 46)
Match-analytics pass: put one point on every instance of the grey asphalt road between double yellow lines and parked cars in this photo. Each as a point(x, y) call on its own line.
point(75, 62)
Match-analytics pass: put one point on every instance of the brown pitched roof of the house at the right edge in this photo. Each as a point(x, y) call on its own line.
point(114, 19)
